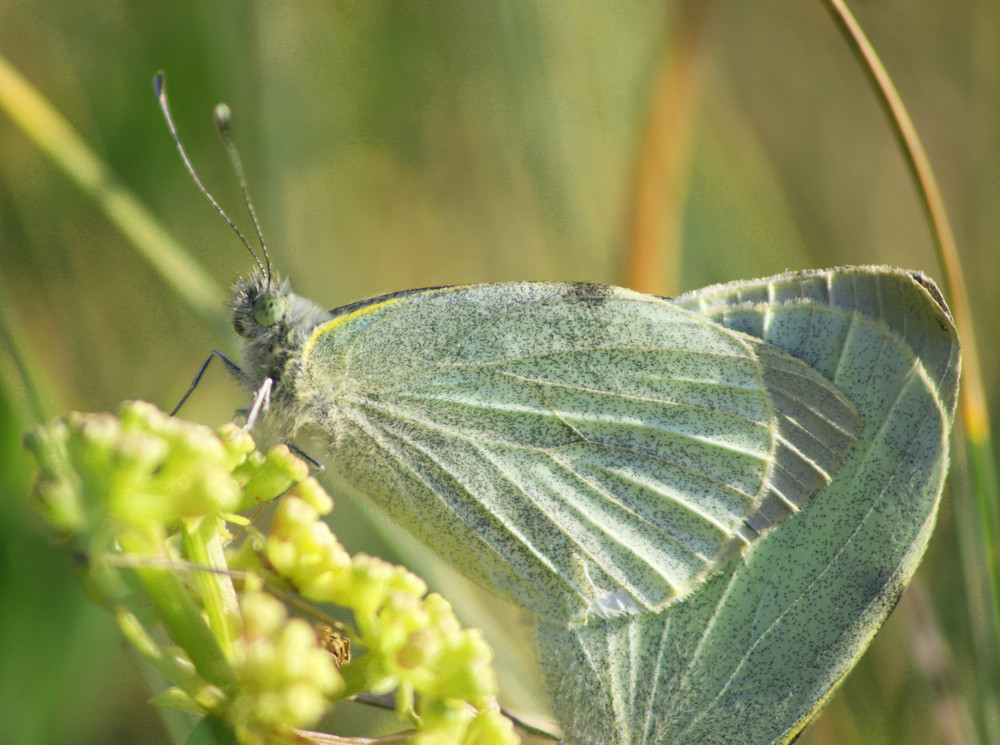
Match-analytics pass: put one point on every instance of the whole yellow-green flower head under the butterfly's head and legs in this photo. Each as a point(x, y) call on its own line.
point(149, 497)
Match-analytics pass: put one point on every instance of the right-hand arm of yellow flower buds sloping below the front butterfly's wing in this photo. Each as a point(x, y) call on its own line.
point(441, 672)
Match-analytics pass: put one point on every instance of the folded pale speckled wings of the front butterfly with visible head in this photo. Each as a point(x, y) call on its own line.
point(582, 450)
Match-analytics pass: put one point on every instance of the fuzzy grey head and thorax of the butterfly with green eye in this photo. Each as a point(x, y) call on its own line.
point(275, 325)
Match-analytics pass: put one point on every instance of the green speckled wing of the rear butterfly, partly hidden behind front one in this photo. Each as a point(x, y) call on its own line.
point(755, 650)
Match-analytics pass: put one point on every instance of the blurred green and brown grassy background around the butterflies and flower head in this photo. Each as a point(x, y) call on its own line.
point(664, 145)
